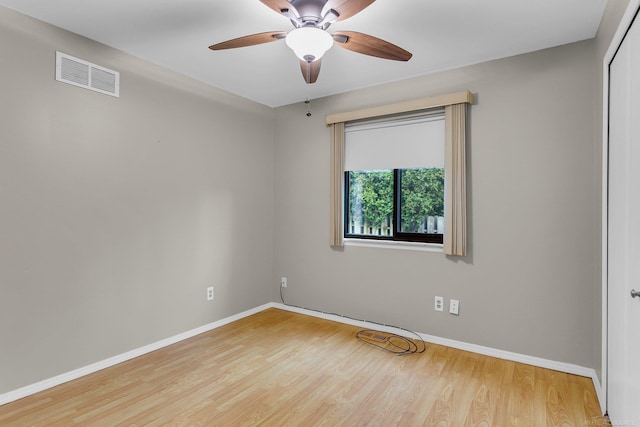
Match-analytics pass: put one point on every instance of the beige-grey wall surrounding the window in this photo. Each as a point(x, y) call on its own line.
point(530, 281)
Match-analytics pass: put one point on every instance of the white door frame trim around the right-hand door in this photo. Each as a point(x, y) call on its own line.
point(630, 13)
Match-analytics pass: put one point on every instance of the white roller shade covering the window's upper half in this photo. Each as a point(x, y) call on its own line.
point(400, 143)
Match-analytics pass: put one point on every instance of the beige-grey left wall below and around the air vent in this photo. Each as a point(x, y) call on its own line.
point(117, 214)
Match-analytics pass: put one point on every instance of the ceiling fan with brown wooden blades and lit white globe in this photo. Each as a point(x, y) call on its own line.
point(310, 38)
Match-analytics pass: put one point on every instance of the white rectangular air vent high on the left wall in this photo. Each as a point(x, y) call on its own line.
point(87, 75)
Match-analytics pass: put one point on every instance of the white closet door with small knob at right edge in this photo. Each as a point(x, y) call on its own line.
point(623, 391)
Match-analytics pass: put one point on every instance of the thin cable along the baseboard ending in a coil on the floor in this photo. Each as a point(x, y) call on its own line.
point(392, 343)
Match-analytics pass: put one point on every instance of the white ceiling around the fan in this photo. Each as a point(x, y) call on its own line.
point(441, 34)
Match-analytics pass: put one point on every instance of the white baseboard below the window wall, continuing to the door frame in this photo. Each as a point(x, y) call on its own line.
point(487, 351)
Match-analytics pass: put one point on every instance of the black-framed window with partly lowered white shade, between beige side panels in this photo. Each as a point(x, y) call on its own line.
point(394, 178)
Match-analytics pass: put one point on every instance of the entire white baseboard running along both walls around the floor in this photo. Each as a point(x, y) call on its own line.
point(487, 351)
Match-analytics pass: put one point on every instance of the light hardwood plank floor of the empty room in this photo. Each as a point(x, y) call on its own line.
point(278, 368)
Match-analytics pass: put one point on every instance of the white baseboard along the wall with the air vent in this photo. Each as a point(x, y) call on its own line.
point(94, 367)
